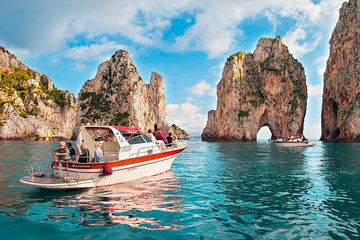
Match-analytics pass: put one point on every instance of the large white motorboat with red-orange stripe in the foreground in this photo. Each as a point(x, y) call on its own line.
point(128, 153)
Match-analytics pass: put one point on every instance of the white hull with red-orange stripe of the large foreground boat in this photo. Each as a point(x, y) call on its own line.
point(71, 175)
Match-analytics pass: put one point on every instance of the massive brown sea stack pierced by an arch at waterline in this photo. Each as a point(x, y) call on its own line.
point(266, 88)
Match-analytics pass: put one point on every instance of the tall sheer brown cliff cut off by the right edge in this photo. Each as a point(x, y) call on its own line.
point(340, 117)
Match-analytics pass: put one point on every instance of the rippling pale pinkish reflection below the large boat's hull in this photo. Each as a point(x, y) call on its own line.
point(139, 204)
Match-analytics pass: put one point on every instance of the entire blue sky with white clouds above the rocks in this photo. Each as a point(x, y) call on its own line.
point(185, 41)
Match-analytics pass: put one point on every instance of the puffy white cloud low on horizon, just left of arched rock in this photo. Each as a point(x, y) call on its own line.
point(187, 116)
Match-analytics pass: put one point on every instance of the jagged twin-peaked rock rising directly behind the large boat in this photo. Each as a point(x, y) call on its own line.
point(118, 96)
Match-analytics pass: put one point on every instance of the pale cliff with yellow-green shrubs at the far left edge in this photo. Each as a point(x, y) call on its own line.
point(30, 106)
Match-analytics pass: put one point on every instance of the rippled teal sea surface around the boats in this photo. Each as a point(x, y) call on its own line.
point(213, 191)
